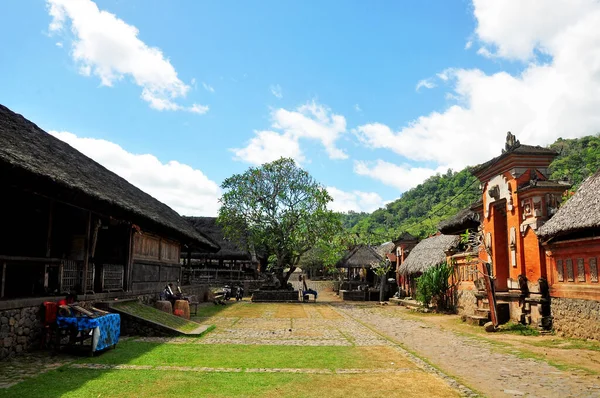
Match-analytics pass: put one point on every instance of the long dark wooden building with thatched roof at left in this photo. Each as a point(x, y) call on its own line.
point(68, 224)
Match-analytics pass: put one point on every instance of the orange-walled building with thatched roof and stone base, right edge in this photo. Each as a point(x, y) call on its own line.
point(571, 243)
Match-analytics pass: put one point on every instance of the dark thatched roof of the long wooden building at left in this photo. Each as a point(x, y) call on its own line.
point(35, 161)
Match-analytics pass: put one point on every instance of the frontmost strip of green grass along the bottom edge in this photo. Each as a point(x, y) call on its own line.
point(84, 383)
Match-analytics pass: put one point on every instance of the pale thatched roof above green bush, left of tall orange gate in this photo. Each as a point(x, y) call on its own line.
point(428, 253)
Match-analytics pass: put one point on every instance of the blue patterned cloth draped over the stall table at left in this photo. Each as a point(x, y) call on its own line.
point(104, 330)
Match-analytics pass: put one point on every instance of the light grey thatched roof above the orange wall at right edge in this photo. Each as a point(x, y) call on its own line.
point(580, 214)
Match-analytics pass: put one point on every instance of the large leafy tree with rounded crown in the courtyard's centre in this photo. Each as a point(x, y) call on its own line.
point(279, 208)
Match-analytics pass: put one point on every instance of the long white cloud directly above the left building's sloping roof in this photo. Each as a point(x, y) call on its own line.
point(185, 189)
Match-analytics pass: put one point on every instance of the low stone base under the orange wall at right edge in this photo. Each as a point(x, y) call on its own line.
point(576, 318)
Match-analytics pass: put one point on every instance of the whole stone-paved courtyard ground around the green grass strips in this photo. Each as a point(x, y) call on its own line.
point(455, 359)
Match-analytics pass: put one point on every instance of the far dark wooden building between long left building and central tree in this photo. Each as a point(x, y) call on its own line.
point(232, 262)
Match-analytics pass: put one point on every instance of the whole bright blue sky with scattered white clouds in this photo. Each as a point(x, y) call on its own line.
point(369, 97)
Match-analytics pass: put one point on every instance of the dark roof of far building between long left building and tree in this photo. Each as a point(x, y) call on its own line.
point(229, 250)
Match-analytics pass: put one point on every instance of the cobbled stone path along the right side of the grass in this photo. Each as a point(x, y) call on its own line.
point(475, 361)
